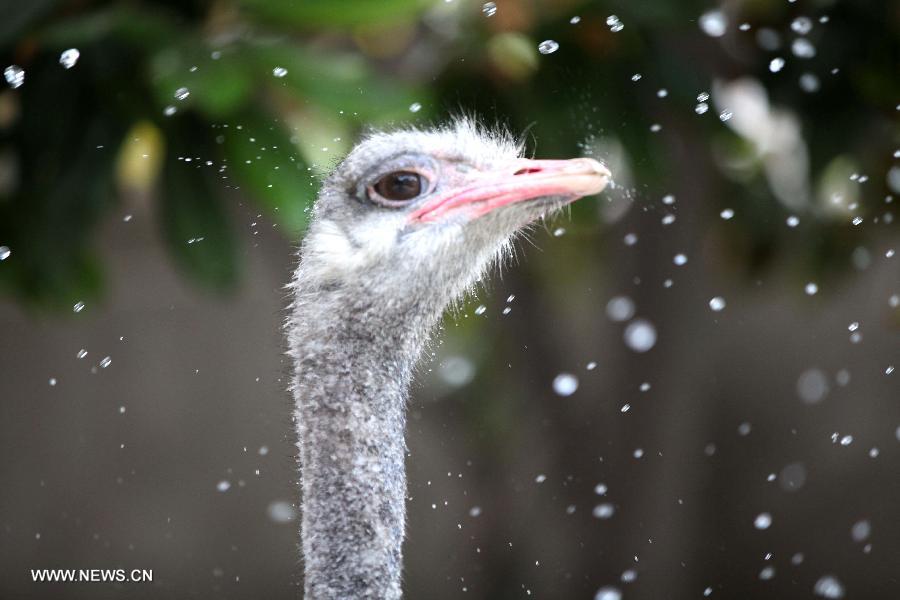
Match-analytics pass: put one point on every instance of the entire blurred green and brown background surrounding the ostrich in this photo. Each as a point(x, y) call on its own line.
point(684, 388)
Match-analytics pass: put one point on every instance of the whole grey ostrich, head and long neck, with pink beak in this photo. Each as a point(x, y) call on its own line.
point(404, 226)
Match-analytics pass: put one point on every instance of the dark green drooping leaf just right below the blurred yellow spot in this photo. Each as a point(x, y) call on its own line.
point(195, 225)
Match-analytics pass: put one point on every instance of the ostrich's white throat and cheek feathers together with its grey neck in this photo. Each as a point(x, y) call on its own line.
point(357, 327)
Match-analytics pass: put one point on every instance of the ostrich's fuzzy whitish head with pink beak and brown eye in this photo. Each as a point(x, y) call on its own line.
point(422, 213)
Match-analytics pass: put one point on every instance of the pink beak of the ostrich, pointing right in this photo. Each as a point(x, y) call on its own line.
point(524, 179)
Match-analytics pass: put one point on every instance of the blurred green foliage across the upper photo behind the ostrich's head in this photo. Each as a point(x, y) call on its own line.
point(270, 83)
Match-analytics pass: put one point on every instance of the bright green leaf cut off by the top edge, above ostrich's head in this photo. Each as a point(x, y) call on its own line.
point(308, 14)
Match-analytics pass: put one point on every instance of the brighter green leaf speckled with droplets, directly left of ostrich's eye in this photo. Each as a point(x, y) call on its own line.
point(264, 163)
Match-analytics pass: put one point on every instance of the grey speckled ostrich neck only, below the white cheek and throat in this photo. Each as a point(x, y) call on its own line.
point(354, 355)
